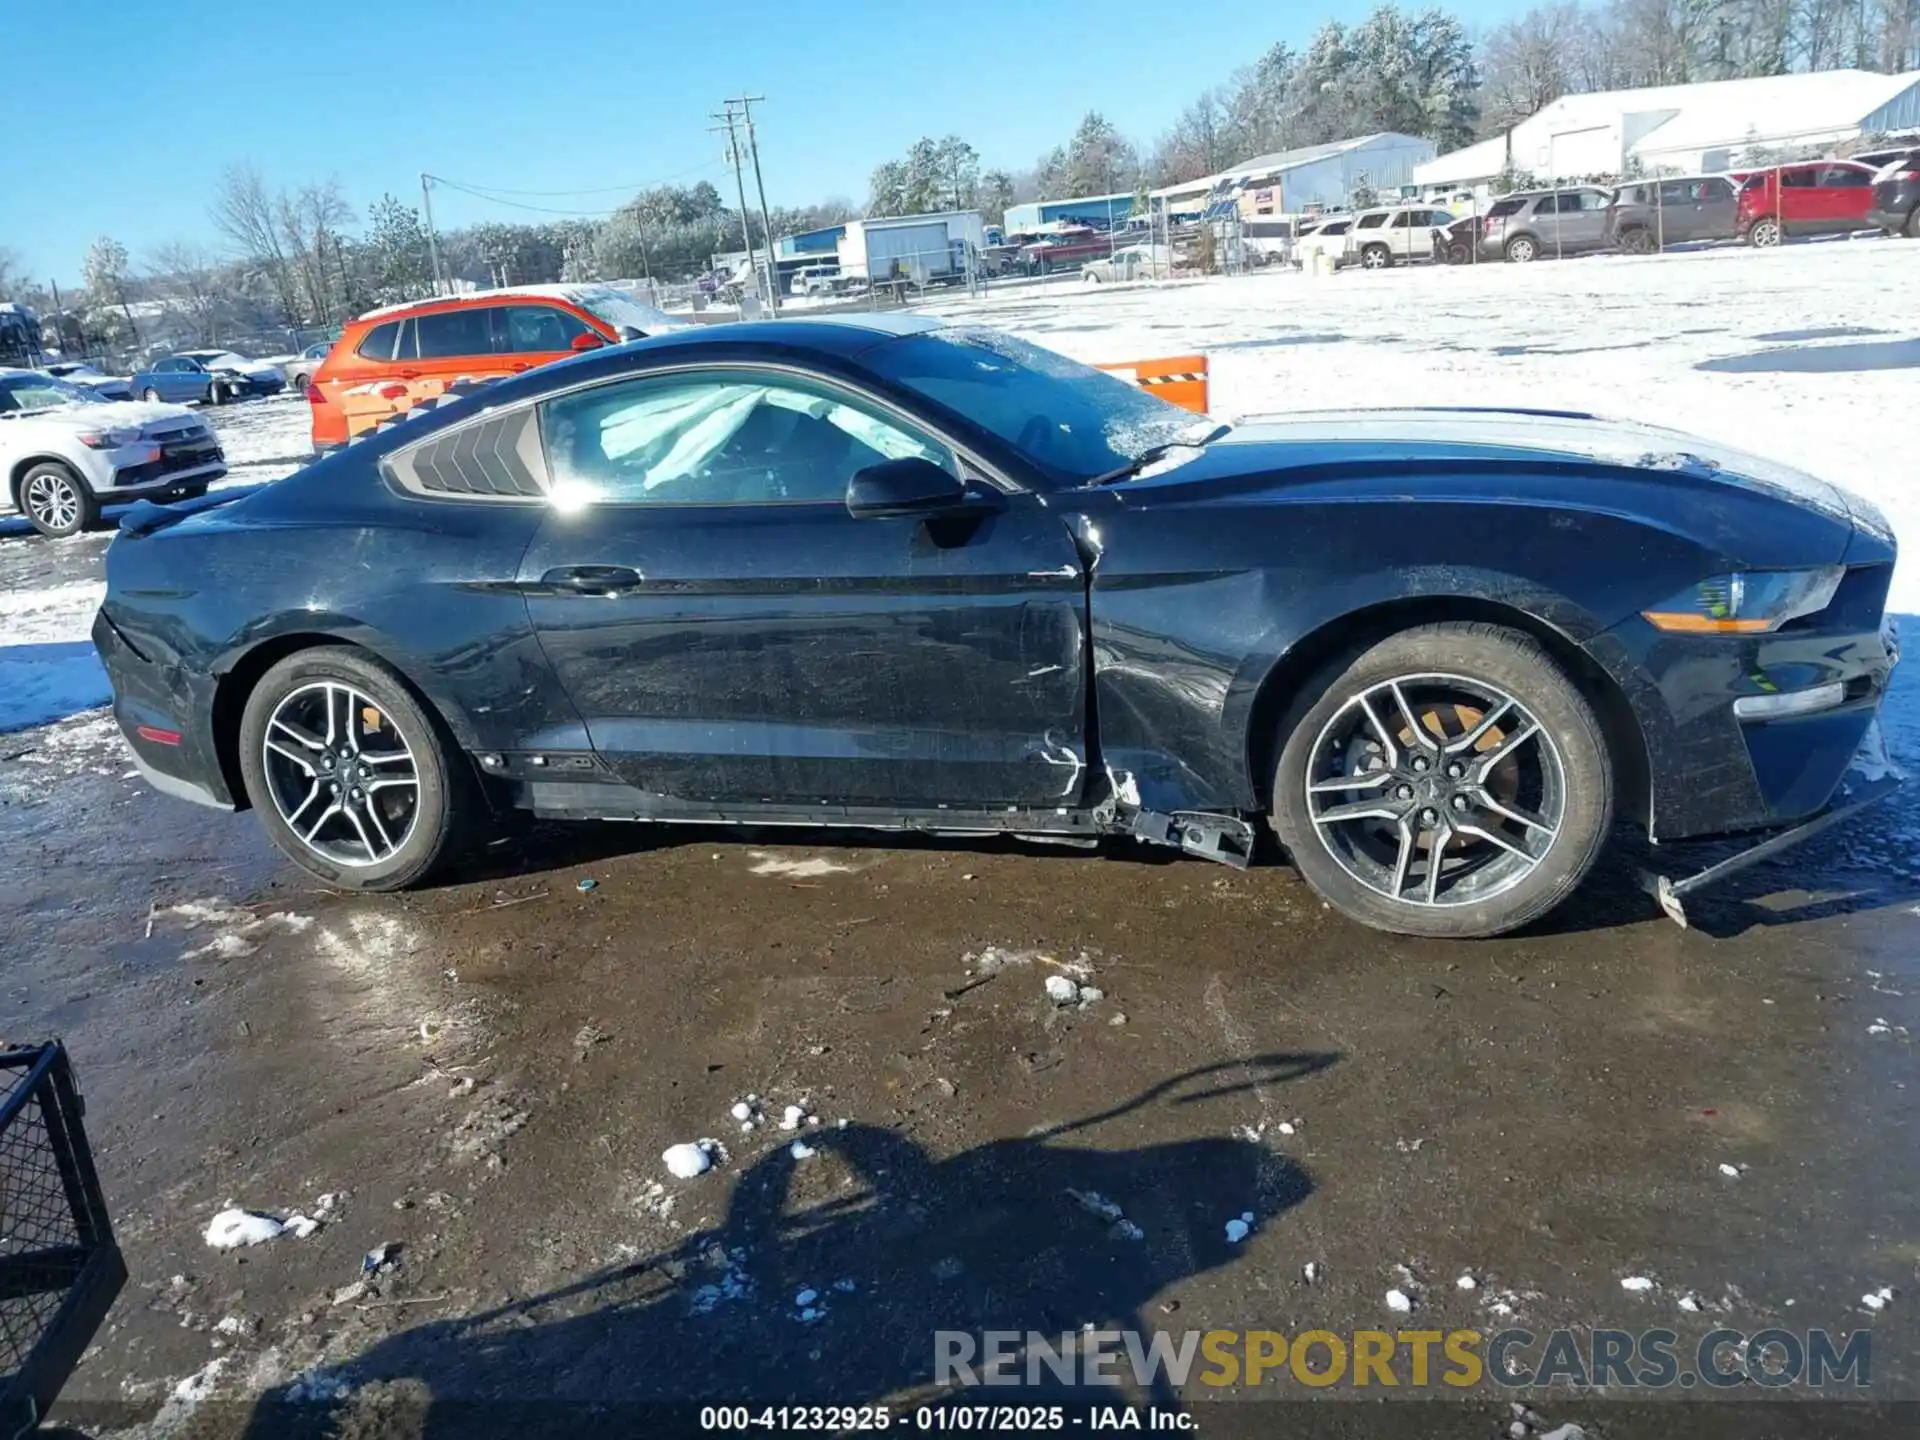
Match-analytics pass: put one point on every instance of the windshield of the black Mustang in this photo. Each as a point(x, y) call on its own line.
point(1070, 420)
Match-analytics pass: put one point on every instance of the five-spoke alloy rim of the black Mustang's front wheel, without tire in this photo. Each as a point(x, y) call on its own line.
point(1437, 790)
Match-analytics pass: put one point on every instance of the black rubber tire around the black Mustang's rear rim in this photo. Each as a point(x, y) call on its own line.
point(446, 798)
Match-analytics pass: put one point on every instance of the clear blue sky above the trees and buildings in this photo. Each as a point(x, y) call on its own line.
point(565, 95)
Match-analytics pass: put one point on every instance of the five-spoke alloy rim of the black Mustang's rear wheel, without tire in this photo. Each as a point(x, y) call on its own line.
point(341, 775)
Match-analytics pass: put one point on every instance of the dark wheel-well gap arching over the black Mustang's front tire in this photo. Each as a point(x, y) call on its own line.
point(1627, 748)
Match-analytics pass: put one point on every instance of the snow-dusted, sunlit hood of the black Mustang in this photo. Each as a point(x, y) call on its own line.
point(1318, 439)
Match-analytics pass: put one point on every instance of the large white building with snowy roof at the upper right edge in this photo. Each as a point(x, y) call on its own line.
point(1685, 128)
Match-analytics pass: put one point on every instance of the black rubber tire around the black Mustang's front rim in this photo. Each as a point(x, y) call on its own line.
point(1491, 658)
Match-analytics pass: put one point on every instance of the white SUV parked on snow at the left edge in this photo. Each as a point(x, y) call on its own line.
point(64, 452)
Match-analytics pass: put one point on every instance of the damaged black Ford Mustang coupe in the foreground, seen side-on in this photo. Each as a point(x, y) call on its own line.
point(894, 575)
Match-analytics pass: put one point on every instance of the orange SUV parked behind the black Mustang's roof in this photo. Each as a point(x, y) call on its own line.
point(391, 360)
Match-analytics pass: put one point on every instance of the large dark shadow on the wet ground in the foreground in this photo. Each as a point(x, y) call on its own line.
point(1011, 1236)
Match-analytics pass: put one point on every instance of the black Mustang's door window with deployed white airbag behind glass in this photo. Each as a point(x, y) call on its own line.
point(719, 439)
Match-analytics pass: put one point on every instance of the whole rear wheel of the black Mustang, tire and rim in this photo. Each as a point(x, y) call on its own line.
point(352, 779)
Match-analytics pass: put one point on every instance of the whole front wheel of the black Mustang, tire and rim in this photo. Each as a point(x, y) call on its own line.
point(1449, 780)
